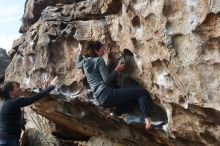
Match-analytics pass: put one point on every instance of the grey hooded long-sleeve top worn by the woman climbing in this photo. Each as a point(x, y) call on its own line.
point(96, 73)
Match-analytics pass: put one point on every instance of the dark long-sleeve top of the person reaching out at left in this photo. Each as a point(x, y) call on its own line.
point(10, 112)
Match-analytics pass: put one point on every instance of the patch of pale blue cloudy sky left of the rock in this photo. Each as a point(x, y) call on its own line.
point(11, 12)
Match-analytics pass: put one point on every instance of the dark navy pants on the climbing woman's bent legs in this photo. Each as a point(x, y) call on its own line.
point(111, 97)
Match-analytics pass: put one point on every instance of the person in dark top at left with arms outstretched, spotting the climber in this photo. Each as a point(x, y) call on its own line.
point(10, 110)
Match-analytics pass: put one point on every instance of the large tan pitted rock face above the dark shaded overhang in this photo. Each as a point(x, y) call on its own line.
point(175, 47)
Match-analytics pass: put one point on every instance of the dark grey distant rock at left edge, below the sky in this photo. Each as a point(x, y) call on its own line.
point(4, 62)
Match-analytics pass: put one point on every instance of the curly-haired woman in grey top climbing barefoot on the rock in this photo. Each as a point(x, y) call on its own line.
point(98, 77)
